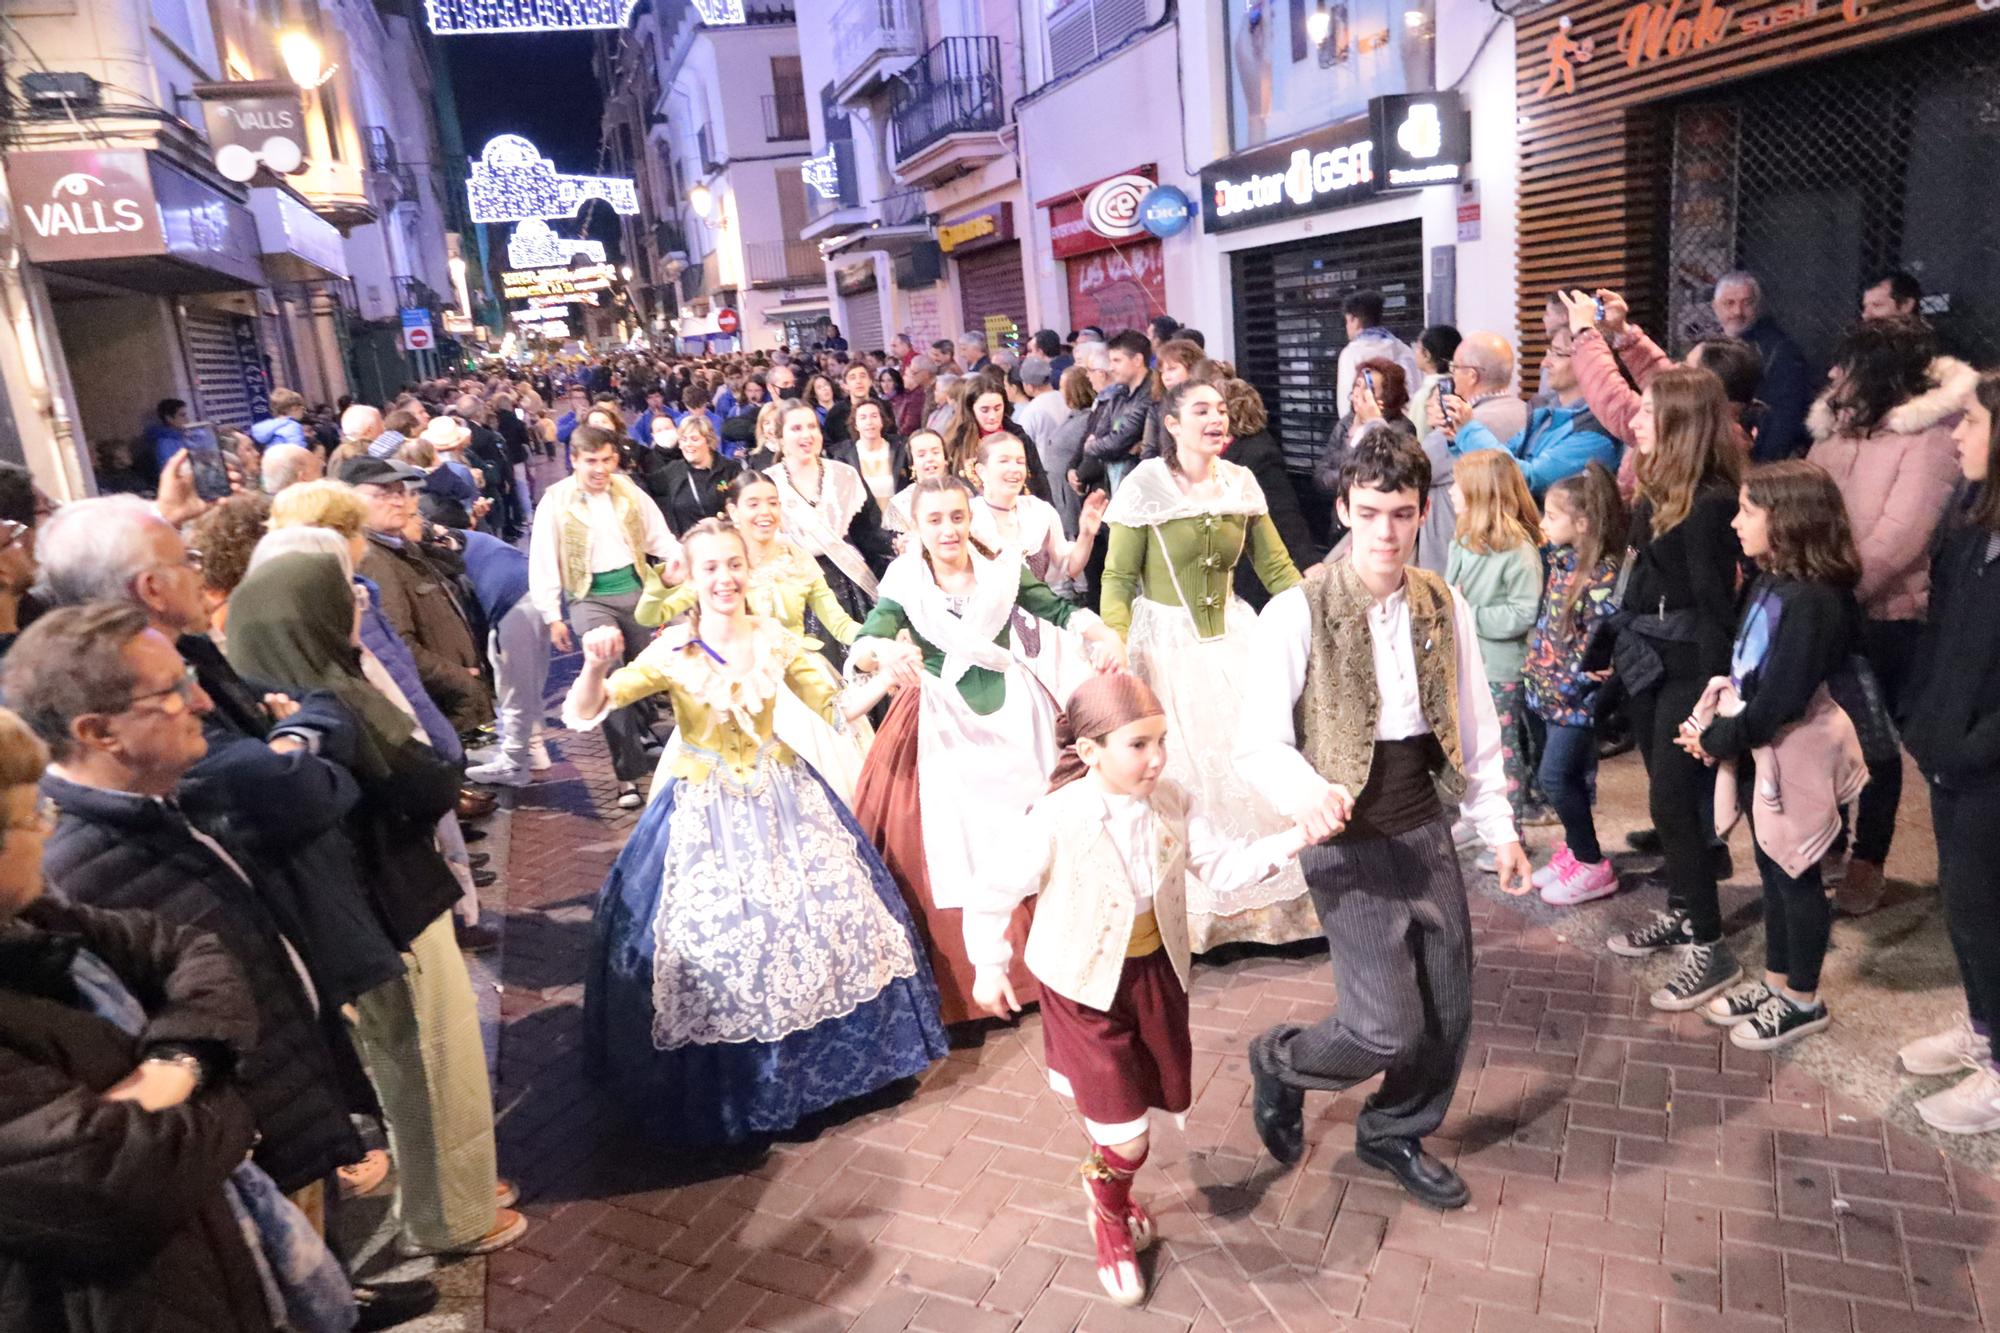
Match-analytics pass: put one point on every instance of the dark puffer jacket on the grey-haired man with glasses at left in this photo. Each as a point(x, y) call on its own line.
point(119, 852)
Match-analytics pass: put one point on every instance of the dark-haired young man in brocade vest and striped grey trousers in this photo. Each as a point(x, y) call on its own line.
point(1365, 700)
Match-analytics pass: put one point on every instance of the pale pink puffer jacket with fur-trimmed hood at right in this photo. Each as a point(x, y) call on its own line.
point(1897, 485)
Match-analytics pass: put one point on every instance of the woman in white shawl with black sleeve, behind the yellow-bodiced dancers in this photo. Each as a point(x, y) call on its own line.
point(827, 511)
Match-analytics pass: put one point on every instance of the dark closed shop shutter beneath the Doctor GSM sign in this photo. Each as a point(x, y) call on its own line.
point(1289, 329)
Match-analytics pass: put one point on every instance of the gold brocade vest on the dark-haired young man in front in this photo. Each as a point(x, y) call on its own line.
point(1339, 708)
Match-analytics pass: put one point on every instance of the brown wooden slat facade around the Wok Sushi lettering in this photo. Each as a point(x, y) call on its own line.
point(1595, 165)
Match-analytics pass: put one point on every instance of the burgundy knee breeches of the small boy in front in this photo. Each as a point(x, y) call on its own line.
point(1131, 1058)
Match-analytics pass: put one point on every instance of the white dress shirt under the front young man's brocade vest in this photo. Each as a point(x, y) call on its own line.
point(1267, 742)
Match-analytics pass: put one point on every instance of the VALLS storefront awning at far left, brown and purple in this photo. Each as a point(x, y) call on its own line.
point(133, 219)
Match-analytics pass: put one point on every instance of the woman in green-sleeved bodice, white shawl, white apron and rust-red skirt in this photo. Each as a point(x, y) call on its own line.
point(973, 736)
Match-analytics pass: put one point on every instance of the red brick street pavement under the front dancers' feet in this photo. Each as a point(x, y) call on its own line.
point(1631, 1172)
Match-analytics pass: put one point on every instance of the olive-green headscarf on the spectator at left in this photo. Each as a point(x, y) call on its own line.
point(293, 623)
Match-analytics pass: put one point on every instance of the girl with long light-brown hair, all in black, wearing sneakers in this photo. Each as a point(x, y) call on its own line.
point(1675, 633)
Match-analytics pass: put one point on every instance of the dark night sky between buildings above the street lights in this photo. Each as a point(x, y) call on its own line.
point(537, 87)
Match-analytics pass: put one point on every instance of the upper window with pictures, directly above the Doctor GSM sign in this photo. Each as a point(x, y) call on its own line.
point(1287, 77)
